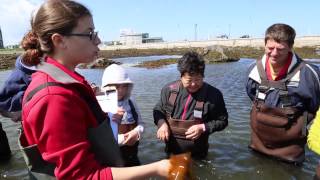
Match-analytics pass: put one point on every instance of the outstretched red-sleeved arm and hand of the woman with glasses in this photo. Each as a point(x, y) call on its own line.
point(59, 125)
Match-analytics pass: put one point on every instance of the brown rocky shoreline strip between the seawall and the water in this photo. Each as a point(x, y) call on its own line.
point(211, 54)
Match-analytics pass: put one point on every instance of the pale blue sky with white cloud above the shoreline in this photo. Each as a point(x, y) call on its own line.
point(175, 20)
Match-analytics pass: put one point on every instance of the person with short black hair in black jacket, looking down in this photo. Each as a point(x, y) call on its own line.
point(189, 110)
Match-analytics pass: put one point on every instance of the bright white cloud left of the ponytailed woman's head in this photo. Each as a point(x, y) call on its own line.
point(15, 16)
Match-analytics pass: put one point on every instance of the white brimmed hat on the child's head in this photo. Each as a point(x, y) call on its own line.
point(115, 74)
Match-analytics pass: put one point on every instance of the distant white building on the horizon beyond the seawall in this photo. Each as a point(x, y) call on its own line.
point(128, 37)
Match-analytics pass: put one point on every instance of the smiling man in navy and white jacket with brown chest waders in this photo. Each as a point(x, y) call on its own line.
point(285, 93)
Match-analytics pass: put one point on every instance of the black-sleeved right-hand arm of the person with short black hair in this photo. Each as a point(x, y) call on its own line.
point(217, 118)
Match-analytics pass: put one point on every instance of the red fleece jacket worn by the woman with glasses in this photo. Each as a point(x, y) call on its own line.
point(57, 120)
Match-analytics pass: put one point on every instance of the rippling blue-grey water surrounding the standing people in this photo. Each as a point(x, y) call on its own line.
point(228, 158)
